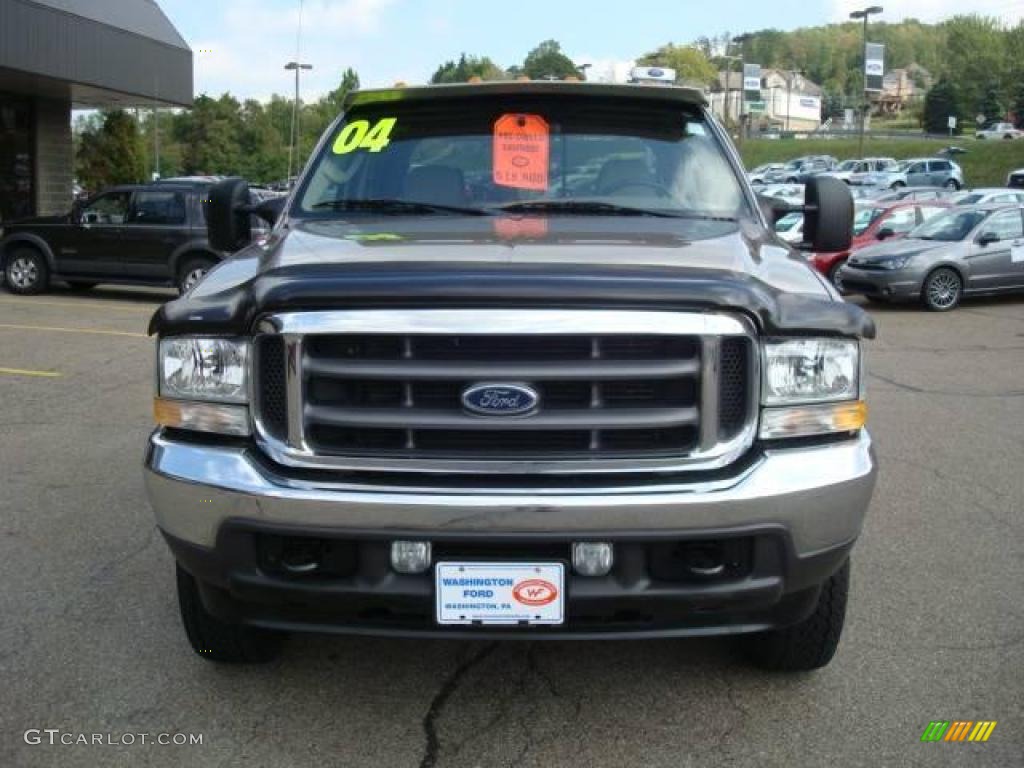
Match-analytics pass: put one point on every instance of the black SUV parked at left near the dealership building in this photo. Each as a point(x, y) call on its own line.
point(140, 234)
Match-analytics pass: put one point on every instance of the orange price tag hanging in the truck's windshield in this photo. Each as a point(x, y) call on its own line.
point(522, 150)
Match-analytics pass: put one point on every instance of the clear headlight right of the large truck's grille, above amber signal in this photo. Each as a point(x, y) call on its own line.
point(801, 371)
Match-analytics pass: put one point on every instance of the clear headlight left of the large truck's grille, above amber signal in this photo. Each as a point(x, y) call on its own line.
point(197, 369)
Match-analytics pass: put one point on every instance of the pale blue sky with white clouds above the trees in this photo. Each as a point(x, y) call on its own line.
point(242, 47)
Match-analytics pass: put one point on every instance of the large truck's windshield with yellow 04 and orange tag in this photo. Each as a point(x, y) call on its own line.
point(545, 155)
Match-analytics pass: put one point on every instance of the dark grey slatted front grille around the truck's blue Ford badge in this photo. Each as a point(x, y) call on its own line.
point(397, 399)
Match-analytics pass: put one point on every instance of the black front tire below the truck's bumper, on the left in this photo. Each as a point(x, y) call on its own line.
point(220, 642)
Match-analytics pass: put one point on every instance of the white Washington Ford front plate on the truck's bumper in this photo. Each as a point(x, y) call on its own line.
point(500, 593)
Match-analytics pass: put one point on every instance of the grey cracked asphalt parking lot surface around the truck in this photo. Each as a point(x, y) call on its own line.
point(91, 639)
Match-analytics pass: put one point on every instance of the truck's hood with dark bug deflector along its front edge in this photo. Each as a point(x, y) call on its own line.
point(516, 262)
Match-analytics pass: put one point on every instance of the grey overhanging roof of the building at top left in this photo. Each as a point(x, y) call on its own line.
point(94, 55)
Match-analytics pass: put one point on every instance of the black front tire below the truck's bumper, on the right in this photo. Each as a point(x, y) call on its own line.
point(810, 645)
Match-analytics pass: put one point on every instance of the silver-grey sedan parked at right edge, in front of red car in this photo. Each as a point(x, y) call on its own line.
point(964, 252)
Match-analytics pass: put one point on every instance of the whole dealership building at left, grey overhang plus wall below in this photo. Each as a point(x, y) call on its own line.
point(59, 56)
